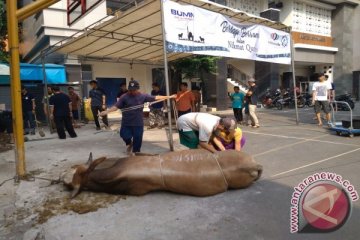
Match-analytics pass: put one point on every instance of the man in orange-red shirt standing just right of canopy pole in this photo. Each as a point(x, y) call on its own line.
point(185, 100)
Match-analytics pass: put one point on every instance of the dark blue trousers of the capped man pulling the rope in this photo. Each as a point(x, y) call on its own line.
point(132, 134)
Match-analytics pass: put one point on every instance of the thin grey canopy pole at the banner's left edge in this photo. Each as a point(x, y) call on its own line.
point(171, 140)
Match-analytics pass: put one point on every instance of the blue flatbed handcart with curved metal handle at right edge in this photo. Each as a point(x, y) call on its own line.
point(349, 127)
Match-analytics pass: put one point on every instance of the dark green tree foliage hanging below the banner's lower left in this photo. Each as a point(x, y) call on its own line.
point(194, 66)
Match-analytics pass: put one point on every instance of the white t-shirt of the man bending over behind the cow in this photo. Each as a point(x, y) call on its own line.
point(204, 123)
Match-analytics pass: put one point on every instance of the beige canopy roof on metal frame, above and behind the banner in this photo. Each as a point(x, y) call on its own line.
point(136, 34)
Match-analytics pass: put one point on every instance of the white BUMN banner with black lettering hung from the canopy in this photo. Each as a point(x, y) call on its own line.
point(199, 31)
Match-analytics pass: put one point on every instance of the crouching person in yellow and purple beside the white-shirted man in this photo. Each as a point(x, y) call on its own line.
point(226, 139)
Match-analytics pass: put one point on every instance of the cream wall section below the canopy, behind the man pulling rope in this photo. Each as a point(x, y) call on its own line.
point(140, 72)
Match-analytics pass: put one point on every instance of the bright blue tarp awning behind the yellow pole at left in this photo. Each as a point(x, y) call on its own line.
point(55, 74)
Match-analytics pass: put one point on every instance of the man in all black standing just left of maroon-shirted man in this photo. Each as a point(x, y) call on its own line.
point(61, 112)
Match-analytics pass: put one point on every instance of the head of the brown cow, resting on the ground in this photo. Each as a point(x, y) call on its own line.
point(76, 177)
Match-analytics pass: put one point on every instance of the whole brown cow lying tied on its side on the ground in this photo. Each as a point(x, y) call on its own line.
point(193, 172)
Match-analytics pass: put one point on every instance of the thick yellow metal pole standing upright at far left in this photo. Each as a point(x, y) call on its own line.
point(13, 31)
